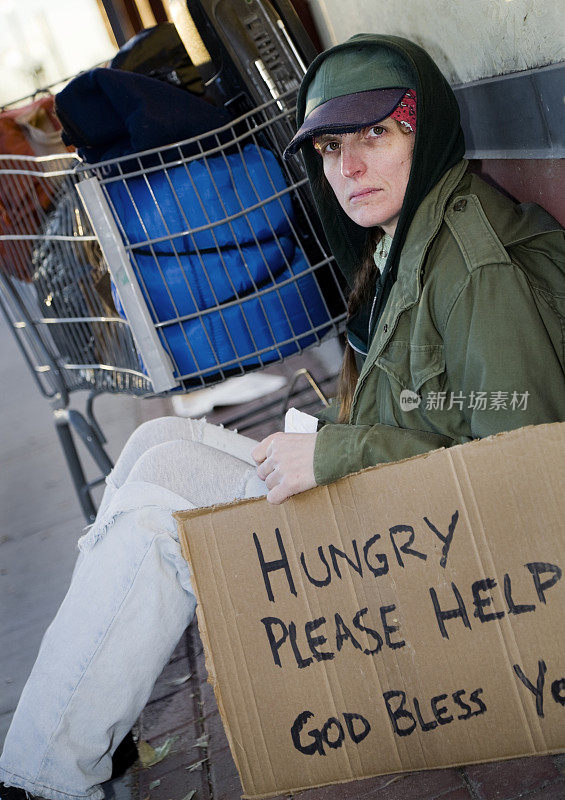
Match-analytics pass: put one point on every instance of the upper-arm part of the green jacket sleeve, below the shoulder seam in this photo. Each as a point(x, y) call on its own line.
point(500, 341)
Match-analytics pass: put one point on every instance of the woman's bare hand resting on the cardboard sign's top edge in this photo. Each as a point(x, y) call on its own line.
point(286, 464)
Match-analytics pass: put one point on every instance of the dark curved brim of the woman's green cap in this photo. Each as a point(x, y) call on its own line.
point(346, 114)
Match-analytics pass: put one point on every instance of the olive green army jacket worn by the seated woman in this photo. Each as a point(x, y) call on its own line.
point(471, 340)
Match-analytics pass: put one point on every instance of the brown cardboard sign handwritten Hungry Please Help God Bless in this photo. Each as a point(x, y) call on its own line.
point(407, 617)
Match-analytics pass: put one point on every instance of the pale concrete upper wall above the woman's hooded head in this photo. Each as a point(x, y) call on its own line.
point(468, 39)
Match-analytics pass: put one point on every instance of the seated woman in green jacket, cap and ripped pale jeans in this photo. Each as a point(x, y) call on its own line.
point(455, 332)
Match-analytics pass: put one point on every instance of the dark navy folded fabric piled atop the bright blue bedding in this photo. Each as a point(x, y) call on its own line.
point(107, 113)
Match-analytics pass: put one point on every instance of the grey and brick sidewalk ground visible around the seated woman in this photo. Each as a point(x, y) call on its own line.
point(180, 729)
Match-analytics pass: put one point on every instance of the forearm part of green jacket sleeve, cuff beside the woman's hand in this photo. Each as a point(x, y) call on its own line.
point(343, 449)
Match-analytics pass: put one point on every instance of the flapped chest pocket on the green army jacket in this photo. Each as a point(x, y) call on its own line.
point(412, 365)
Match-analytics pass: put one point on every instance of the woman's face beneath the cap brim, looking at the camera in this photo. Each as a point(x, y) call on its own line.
point(368, 171)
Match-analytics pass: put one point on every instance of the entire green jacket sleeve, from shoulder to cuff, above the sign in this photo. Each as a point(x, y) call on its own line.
point(499, 356)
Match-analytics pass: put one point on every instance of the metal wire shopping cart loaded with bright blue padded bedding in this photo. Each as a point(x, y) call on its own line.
point(168, 270)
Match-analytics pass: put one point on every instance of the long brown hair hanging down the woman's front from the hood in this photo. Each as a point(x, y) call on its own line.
point(361, 293)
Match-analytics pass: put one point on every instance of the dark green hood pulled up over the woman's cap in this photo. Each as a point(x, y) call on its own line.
point(438, 146)
